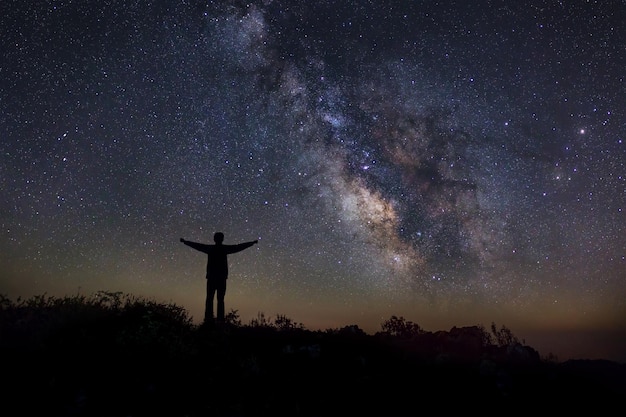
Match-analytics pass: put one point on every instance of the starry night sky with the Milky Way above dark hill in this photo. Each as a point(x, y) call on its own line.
point(454, 163)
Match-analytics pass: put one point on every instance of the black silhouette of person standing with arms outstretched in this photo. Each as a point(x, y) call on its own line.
point(217, 271)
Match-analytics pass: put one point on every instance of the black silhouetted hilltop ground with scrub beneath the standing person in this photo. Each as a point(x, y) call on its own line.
point(148, 360)
